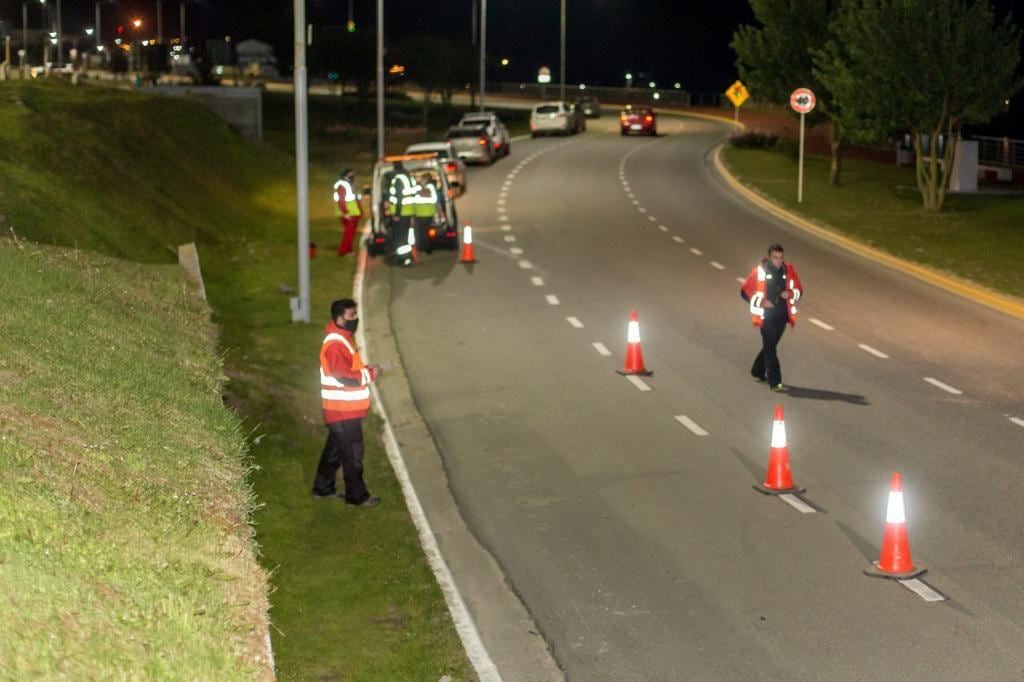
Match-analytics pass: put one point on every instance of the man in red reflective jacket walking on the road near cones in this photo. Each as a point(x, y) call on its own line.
point(773, 290)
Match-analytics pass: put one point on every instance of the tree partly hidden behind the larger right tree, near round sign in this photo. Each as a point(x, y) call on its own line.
point(777, 59)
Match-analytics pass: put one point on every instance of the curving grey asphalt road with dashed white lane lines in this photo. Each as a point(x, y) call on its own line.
point(639, 546)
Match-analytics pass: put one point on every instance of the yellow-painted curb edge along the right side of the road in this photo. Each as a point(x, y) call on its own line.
point(1003, 303)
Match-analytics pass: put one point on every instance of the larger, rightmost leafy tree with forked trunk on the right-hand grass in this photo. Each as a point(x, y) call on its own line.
point(927, 68)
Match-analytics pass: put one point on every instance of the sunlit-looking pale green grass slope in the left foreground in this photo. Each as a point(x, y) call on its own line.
point(124, 544)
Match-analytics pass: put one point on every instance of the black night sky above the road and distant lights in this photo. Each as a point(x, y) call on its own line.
point(661, 40)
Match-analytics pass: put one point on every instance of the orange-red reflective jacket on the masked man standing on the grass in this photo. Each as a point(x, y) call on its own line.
point(343, 398)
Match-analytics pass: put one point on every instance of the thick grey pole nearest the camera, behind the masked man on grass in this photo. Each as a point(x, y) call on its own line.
point(301, 308)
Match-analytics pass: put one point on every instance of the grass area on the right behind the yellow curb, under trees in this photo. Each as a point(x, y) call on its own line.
point(977, 237)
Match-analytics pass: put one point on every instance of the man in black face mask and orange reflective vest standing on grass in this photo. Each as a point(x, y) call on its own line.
point(346, 401)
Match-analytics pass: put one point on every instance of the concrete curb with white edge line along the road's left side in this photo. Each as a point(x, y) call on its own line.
point(495, 627)
